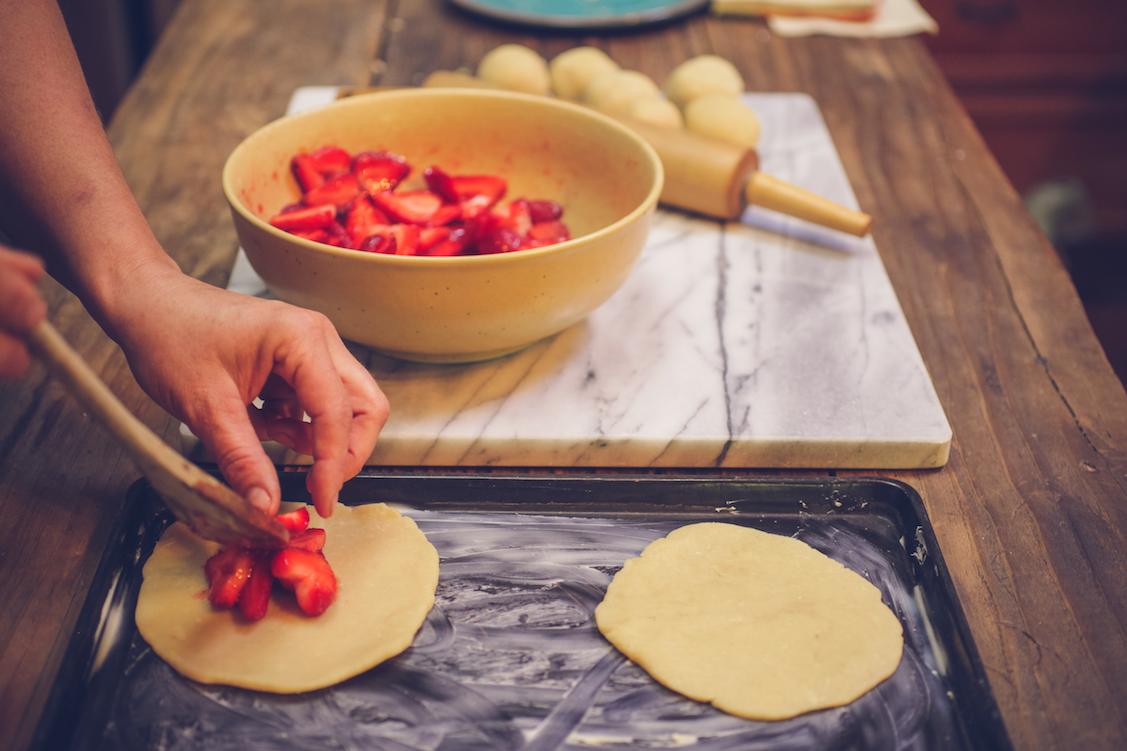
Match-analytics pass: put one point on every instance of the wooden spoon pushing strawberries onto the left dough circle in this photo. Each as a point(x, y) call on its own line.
point(207, 506)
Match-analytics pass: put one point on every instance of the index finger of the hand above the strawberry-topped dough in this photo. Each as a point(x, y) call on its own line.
point(305, 361)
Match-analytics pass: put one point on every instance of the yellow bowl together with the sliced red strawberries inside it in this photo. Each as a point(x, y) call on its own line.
point(442, 225)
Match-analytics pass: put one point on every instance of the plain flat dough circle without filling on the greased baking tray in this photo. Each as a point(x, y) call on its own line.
point(761, 626)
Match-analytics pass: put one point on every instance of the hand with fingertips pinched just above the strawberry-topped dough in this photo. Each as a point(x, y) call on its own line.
point(206, 355)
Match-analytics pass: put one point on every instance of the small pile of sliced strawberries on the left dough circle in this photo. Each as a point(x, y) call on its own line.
point(245, 579)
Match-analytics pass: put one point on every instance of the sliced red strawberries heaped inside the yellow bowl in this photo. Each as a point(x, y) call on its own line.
point(353, 202)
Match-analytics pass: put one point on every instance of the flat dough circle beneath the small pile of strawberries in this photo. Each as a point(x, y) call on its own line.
point(387, 575)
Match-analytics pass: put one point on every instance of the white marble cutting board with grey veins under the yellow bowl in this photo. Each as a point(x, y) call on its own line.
point(762, 343)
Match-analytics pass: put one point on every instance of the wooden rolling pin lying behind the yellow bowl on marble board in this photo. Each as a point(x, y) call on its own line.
point(713, 178)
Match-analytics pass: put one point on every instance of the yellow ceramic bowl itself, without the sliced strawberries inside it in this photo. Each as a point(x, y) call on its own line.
point(464, 308)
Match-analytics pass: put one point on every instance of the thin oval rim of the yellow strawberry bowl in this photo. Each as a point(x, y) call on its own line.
point(645, 206)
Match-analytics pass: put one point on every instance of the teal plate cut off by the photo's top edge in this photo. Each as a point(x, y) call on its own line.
point(582, 14)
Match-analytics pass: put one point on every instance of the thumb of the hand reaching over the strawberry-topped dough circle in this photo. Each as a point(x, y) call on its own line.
point(226, 430)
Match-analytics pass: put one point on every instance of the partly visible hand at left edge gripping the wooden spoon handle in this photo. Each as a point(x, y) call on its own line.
point(21, 310)
